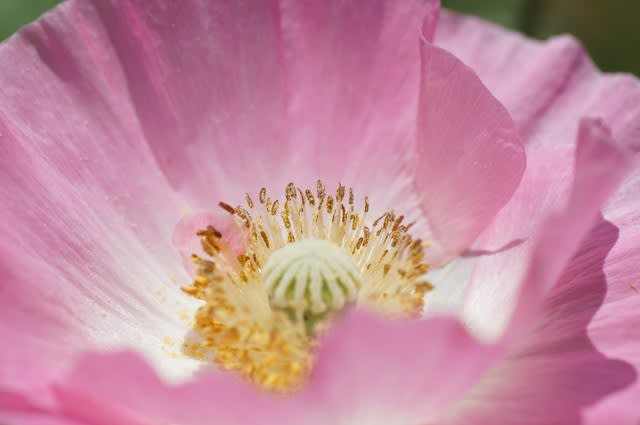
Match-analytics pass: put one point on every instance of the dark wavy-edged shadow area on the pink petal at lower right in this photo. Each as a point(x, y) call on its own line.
point(557, 372)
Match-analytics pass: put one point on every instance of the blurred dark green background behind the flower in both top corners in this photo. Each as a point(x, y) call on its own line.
point(609, 28)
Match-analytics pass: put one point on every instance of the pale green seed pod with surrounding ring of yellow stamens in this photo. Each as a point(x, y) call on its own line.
point(265, 308)
